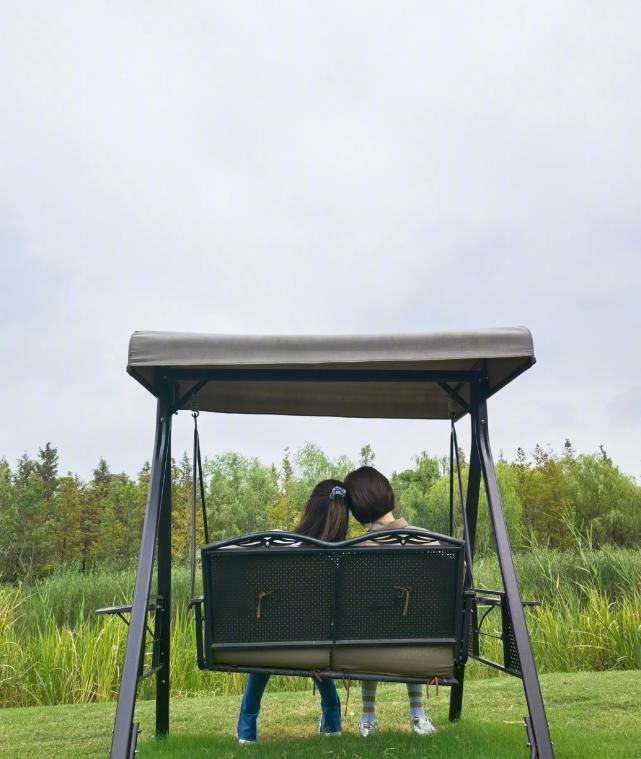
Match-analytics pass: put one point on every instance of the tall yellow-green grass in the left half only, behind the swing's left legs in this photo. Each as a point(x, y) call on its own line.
point(53, 648)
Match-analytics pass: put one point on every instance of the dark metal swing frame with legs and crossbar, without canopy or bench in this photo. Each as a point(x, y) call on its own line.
point(168, 385)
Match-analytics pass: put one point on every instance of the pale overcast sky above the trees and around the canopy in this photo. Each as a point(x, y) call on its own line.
point(317, 167)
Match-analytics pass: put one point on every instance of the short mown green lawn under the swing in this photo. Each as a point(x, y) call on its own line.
point(590, 714)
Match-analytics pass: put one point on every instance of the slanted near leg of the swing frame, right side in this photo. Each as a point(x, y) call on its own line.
point(538, 727)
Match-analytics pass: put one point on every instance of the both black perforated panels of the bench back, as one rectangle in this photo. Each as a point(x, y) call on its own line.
point(275, 596)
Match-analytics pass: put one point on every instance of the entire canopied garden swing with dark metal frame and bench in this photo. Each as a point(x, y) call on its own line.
point(395, 605)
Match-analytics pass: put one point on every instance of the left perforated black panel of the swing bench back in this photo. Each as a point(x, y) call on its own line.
point(272, 596)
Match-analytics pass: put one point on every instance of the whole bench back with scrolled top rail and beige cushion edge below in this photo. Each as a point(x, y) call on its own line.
point(390, 603)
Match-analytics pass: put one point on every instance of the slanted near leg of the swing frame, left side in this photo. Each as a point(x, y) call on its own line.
point(122, 739)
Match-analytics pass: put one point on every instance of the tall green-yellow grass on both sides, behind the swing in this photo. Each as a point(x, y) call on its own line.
point(53, 649)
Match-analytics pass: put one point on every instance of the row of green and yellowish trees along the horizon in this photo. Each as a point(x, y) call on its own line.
point(49, 519)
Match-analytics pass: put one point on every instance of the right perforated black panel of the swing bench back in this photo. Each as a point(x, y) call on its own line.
point(407, 594)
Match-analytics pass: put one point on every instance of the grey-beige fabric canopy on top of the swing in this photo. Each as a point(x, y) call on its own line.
point(318, 375)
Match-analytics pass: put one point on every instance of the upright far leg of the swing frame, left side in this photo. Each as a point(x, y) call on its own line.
point(163, 632)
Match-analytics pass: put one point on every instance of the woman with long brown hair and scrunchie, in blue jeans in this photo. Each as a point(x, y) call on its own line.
point(326, 517)
